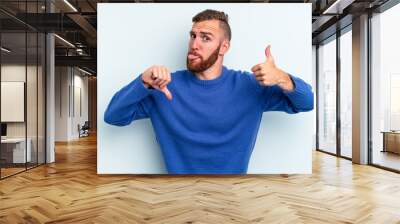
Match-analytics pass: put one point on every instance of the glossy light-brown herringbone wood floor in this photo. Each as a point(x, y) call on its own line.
point(70, 191)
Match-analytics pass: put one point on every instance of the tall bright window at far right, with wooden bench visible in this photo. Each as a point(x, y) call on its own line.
point(385, 88)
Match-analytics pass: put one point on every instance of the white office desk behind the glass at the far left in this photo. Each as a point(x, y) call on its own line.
point(13, 150)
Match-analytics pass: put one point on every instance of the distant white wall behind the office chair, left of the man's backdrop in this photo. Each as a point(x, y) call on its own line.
point(68, 82)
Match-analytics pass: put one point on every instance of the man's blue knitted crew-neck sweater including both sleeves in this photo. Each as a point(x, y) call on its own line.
point(210, 126)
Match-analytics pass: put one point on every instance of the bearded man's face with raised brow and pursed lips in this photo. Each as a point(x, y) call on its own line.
point(204, 46)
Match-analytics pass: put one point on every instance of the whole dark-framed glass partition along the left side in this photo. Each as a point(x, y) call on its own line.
point(22, 101)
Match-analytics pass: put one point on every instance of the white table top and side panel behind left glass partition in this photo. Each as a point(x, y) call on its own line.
point(19, 149)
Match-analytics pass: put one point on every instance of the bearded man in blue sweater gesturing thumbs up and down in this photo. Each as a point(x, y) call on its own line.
point(206, 118)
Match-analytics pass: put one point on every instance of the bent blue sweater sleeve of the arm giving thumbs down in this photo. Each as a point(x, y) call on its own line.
point(130, 103)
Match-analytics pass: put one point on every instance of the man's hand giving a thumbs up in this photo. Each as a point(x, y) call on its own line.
point(268, 74)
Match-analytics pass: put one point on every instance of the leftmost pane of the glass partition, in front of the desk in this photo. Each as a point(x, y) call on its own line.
point(13, 109)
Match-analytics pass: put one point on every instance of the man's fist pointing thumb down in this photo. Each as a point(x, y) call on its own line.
point(158, 77)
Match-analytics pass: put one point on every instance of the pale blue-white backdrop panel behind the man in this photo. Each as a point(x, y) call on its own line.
point(284, 142)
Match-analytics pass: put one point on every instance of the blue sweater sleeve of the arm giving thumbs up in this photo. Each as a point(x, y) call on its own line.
point(301, 99)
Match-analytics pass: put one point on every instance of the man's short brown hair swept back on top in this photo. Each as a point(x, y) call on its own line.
point(210, 14)
